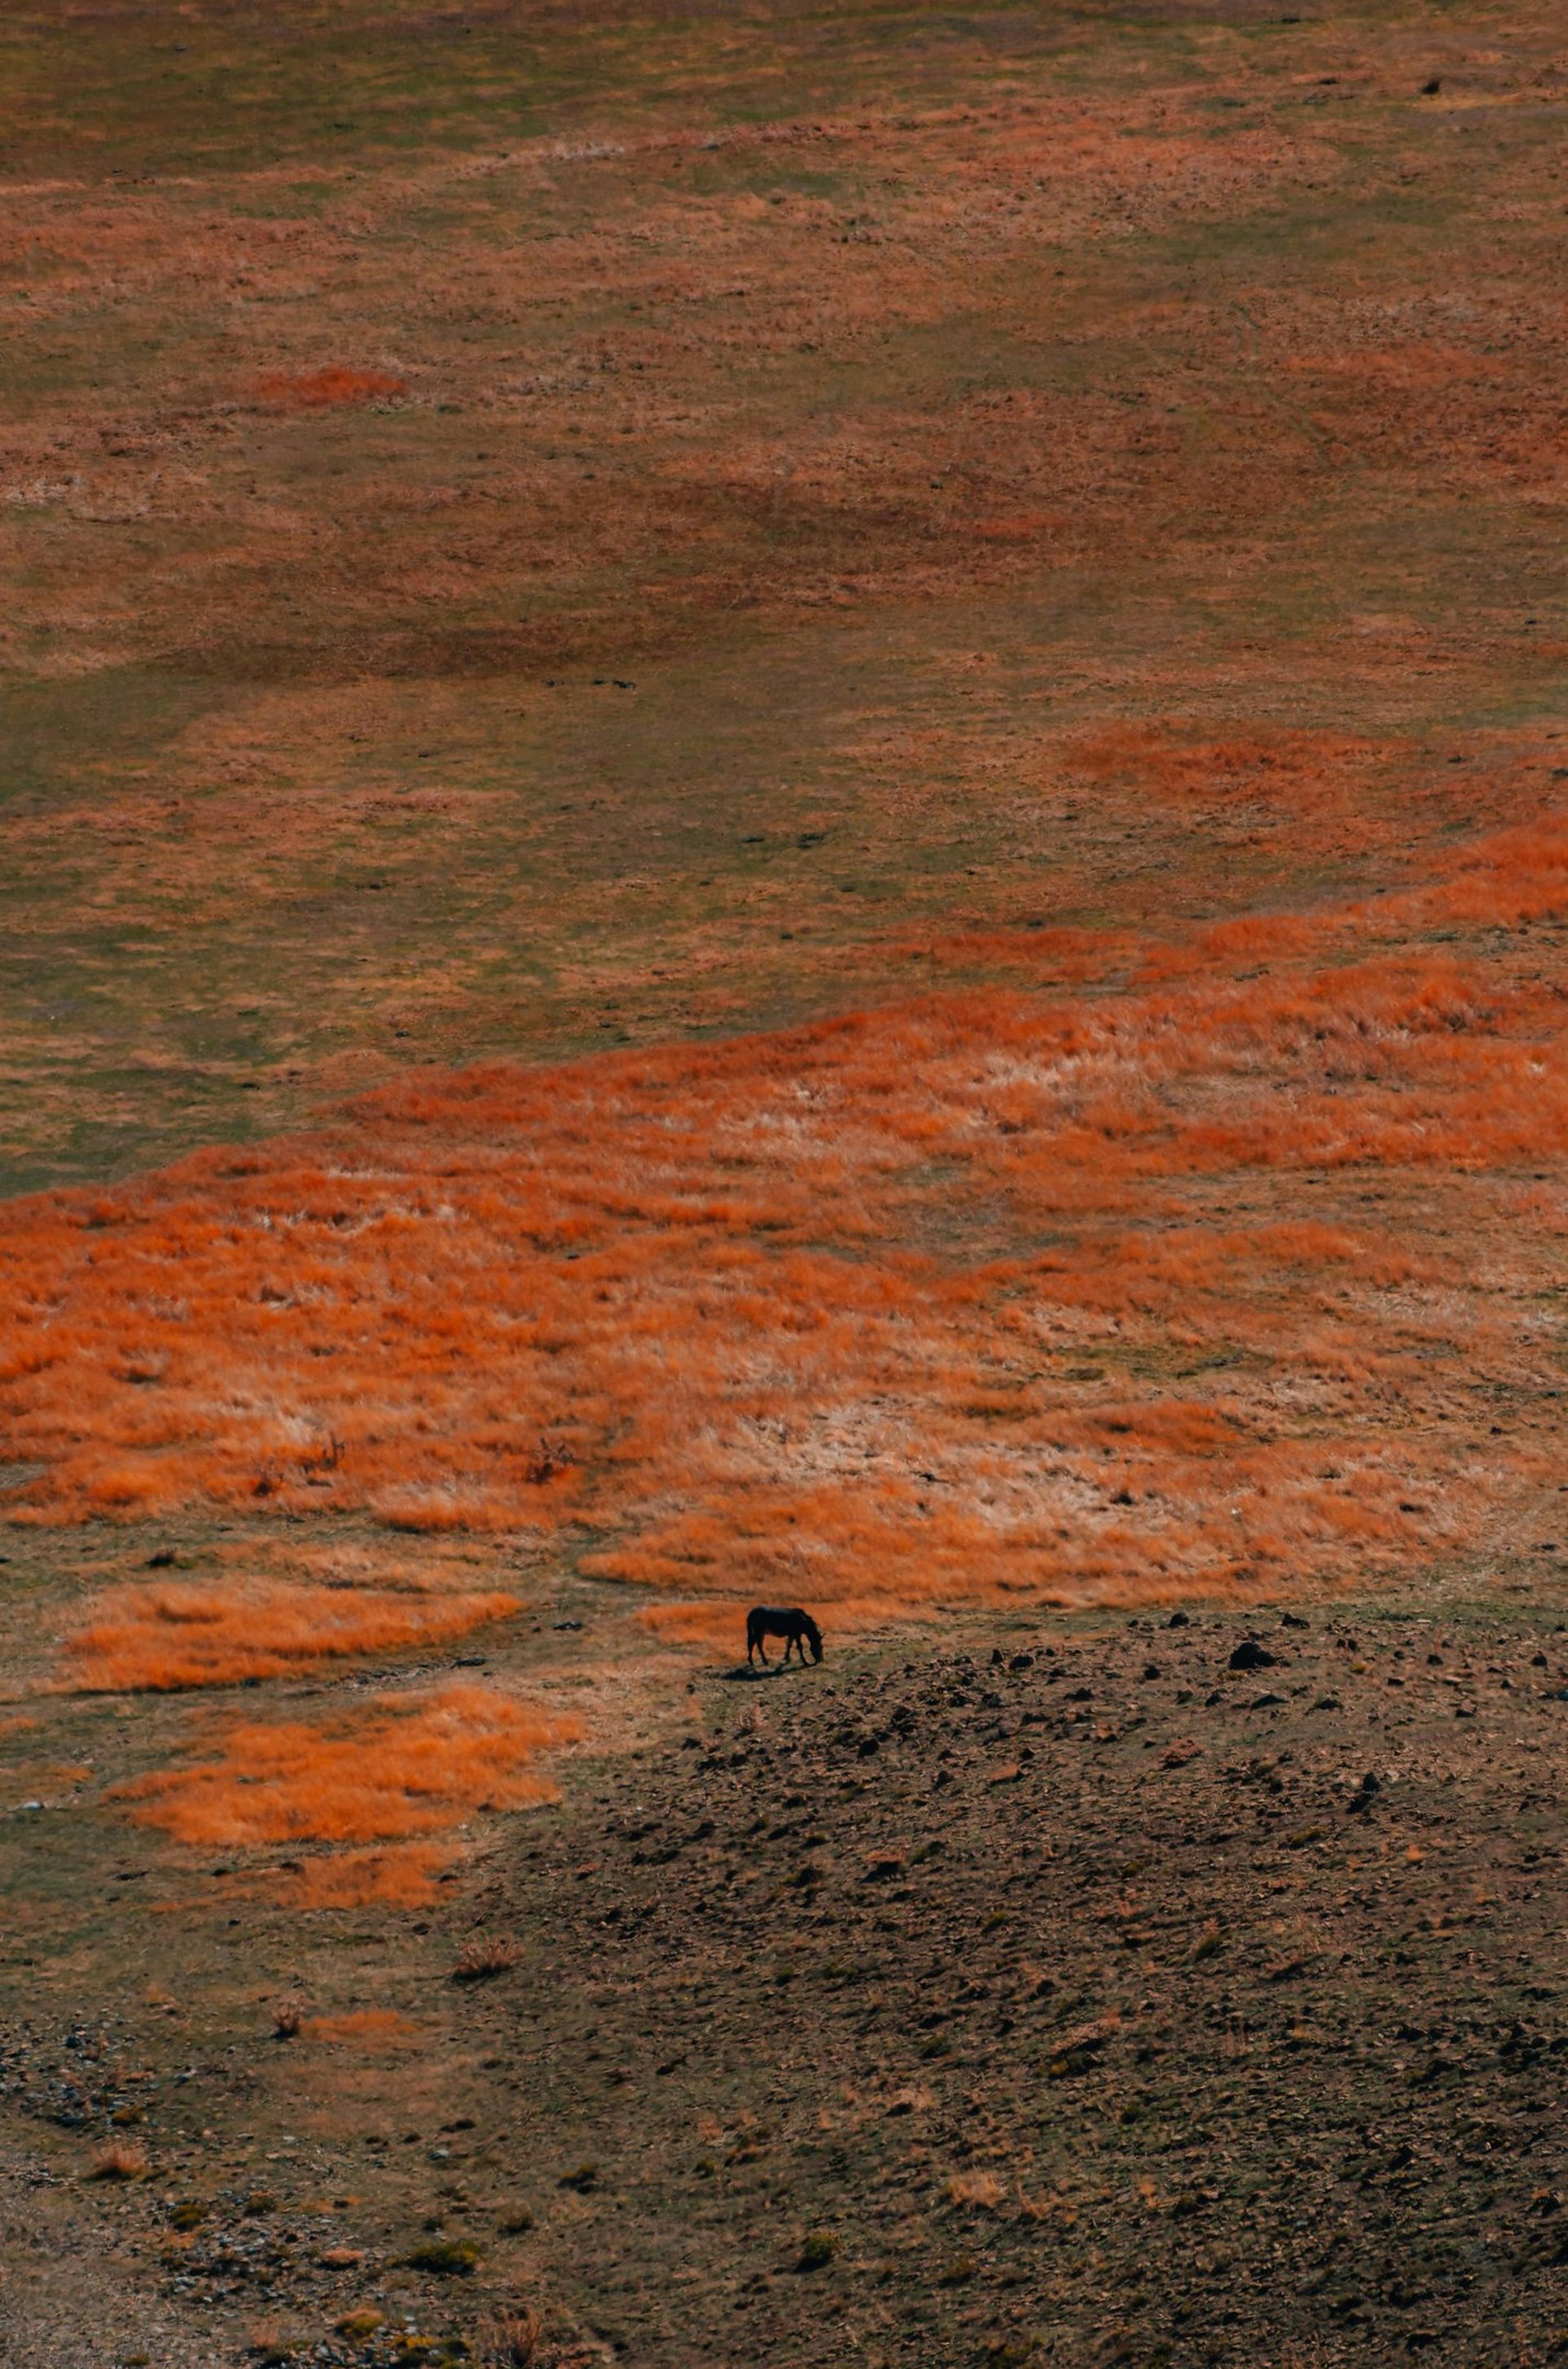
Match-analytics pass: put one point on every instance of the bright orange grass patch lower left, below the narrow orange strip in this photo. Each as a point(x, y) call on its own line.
point(404, 1766)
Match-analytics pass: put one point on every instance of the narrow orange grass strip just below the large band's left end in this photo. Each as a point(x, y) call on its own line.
point(174, 1636)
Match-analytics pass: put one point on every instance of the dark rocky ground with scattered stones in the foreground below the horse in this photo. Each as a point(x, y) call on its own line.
point(1072, 1996)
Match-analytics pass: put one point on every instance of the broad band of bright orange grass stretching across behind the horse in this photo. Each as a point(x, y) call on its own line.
point(1046, 1292)
